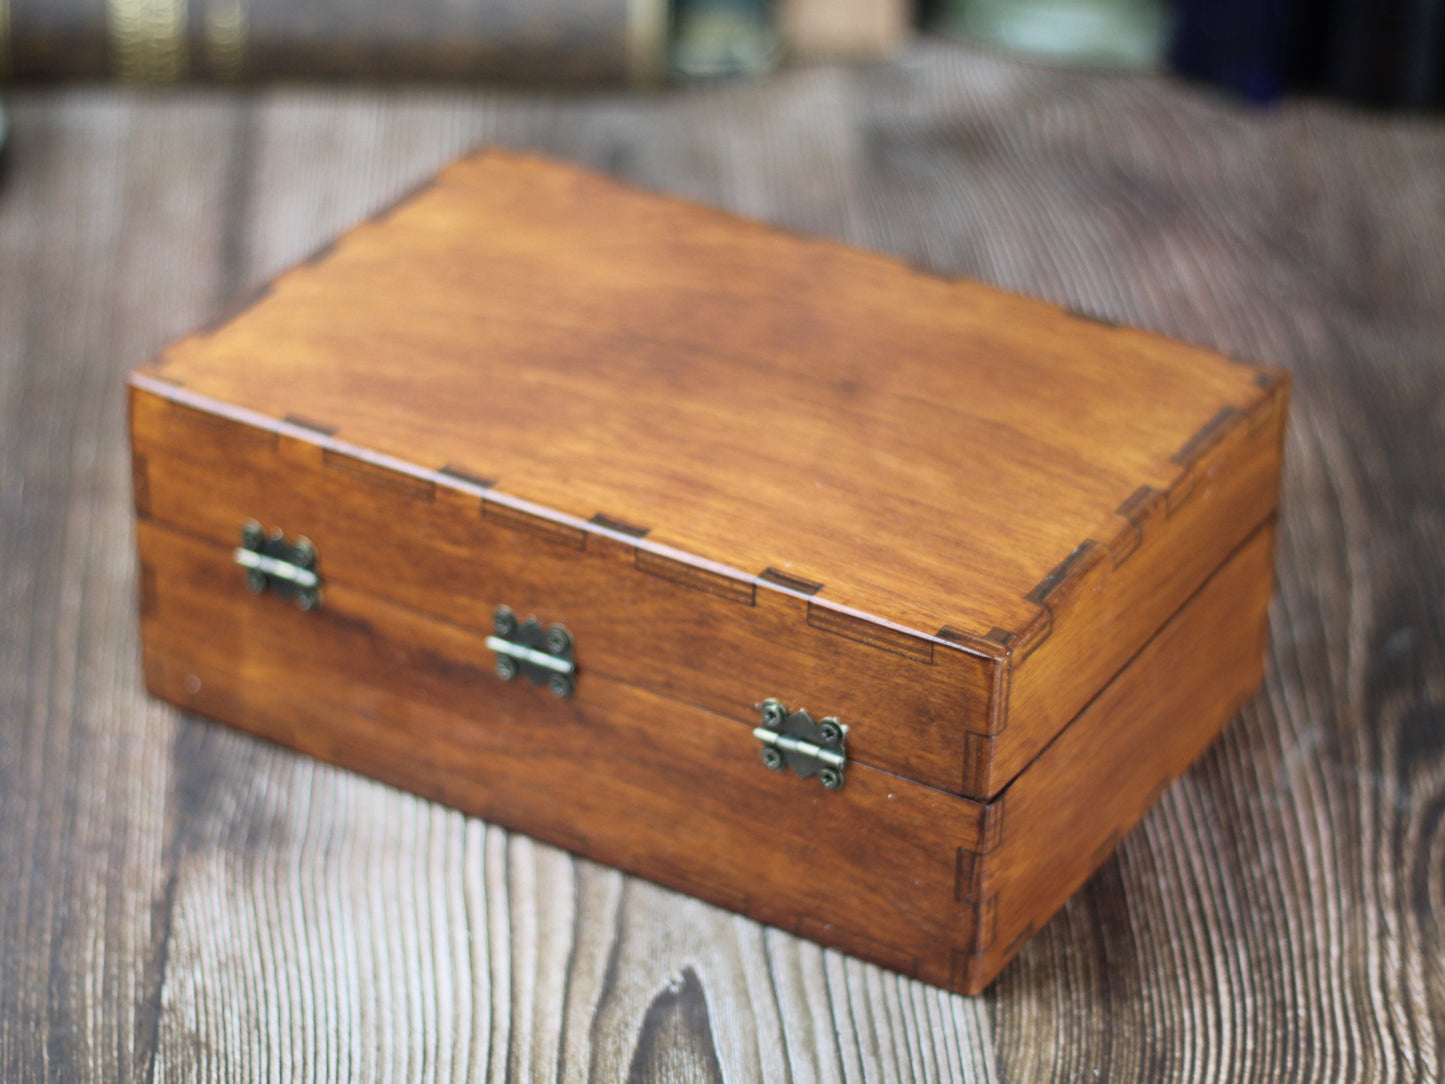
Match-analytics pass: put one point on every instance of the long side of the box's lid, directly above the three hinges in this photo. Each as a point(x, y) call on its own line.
point(443, 546)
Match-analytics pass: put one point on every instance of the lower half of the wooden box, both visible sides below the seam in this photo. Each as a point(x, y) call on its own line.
point(931, 885)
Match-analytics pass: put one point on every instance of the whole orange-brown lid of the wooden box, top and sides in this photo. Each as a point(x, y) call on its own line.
point(953, 514)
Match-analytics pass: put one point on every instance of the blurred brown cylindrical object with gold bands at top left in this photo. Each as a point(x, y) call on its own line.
point(168, 41)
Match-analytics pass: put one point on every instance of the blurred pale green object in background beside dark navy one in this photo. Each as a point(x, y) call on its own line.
point(1102, 34)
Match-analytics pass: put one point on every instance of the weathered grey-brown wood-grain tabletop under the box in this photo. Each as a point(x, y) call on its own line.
point(181, 903)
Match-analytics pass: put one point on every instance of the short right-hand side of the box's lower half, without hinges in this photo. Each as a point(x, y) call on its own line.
point(1063, 817)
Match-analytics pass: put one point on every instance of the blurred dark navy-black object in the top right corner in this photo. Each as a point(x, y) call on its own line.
point(1376, 53)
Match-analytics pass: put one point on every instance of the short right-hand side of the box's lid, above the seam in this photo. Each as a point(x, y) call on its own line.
point(1103, 605)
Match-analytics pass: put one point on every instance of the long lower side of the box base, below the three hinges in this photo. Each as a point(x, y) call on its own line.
point(618, 774)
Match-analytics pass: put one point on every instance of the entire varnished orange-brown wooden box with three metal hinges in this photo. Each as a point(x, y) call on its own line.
point(973, 576)
